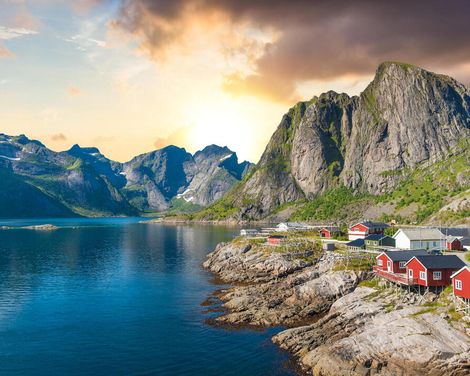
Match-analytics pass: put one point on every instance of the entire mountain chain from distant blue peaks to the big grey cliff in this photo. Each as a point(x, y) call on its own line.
point(399, 150)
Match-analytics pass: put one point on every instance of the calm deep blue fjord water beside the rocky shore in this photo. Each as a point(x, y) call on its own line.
point(118, 297)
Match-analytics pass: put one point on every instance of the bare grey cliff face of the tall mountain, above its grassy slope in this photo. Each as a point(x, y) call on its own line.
point(405, 117)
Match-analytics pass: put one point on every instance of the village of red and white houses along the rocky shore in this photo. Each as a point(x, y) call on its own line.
point(419, 259)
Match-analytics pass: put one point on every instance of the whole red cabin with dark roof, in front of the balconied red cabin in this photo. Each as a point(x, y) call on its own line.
point(433, 270)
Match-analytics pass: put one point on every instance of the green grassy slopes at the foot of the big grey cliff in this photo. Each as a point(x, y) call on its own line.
point(420, 196)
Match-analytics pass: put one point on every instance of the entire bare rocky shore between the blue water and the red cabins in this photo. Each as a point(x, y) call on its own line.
point(337, 324)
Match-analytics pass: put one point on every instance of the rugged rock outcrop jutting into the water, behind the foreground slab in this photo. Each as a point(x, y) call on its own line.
point(283, 288)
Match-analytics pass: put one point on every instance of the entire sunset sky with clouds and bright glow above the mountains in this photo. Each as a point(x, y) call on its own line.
point(131, 76)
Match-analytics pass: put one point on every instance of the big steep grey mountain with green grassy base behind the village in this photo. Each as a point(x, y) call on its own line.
point(399, 149)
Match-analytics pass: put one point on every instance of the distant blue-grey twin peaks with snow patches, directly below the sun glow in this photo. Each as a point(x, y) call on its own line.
point(154, 179)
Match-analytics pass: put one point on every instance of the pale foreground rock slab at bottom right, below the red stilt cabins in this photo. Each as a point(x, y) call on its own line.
point(358, 337)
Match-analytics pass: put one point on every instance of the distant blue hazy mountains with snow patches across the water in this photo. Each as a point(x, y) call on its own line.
point(39, 182)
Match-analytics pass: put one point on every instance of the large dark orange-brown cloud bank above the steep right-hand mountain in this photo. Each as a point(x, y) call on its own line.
point(315, 40)
